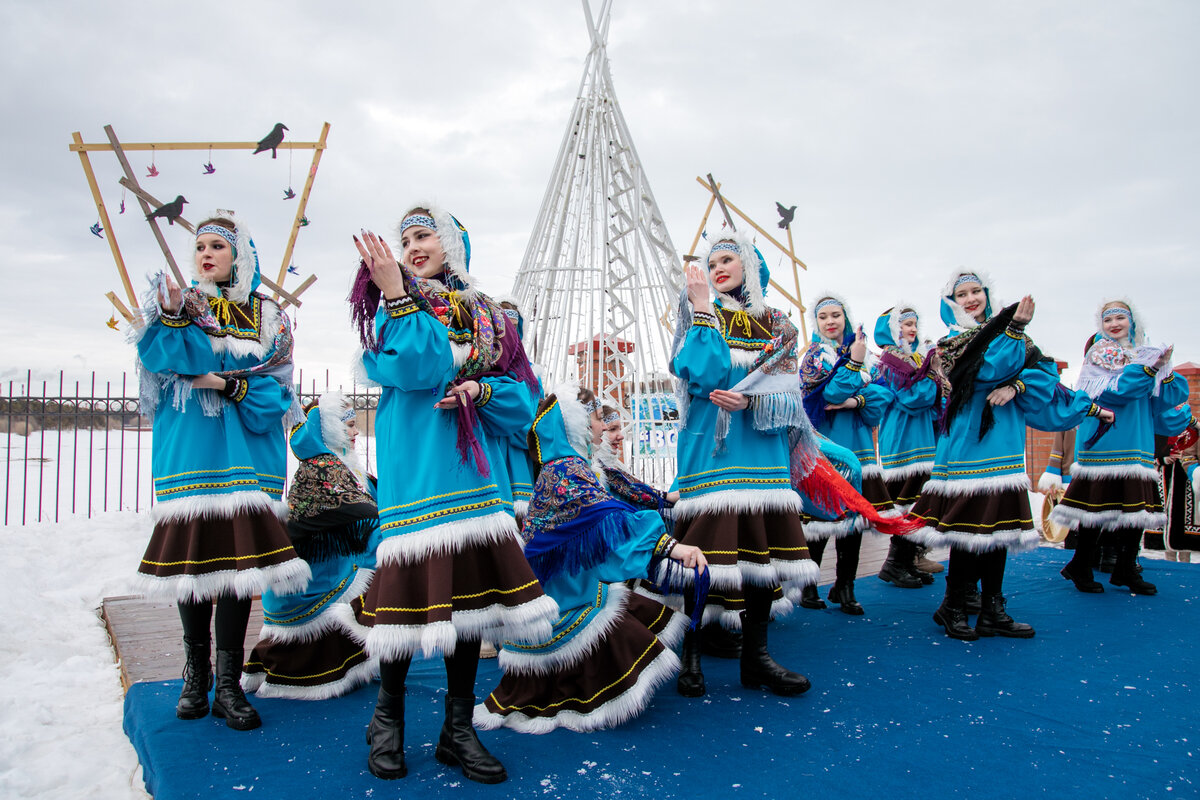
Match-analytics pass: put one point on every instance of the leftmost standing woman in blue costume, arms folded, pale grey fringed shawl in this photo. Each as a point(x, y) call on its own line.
point(217, 378)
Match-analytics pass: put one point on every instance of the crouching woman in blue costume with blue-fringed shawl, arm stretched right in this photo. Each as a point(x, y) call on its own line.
point(610, 649)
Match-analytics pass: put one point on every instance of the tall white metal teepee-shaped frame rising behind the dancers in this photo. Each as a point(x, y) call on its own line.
point(601, 278)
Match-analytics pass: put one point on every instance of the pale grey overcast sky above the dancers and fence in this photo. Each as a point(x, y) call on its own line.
point(1052, 145)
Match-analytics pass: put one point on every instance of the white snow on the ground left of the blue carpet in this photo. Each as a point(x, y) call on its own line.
point(61, 699)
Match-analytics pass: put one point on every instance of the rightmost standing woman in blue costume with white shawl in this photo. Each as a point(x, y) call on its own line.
point(1114, 484)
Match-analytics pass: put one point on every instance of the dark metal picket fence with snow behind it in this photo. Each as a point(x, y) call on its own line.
point(82, 447)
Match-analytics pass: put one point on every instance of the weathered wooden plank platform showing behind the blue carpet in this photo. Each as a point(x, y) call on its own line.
point(148, 639)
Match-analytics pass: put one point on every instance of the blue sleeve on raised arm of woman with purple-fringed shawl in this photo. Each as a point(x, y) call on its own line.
point(415, 351)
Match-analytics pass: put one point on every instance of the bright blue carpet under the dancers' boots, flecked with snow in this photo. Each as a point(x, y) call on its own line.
point(1102, 703)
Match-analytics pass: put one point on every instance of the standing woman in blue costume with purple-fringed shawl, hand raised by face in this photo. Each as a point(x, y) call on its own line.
point(449, 572)
